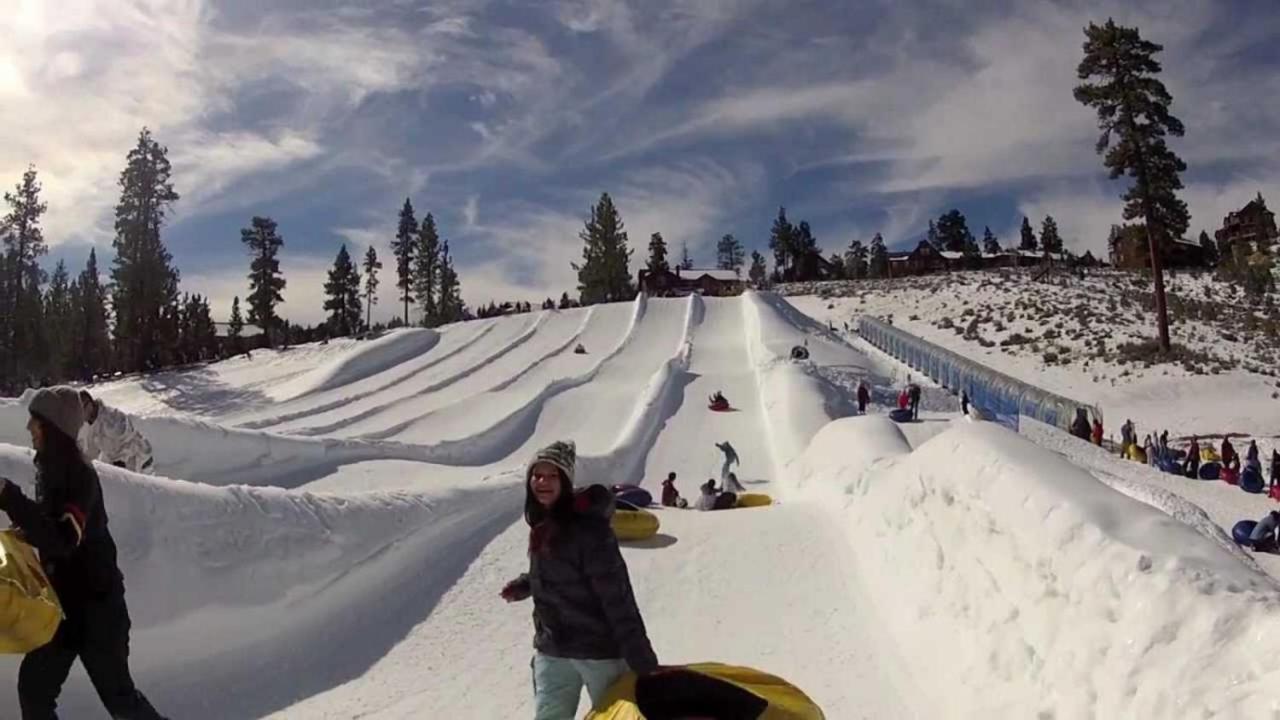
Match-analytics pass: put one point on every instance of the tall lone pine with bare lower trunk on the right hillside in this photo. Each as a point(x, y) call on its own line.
point(1133, 107)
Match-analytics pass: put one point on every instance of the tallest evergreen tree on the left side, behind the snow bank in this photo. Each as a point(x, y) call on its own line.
point(144, 282)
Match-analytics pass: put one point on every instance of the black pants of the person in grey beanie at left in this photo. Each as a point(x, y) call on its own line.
point(100, 637)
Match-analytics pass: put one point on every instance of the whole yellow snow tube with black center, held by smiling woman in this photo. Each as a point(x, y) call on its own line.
point(706, 690)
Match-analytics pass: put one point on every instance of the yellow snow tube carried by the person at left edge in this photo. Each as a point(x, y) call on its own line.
point(29, 608)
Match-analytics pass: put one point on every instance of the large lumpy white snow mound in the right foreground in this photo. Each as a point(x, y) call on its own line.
point(1025, 587)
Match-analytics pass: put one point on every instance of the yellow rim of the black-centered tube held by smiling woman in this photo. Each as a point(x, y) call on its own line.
point(780, 699)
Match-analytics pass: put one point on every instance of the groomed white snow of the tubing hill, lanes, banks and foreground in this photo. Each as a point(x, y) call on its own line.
point(938, 569)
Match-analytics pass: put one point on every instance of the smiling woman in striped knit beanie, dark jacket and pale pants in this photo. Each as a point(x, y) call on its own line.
point(588, 630)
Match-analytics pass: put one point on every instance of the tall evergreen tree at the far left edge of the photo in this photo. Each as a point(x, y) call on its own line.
point(24, 247)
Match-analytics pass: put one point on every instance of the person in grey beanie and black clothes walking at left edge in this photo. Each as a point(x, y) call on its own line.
point(67, 525)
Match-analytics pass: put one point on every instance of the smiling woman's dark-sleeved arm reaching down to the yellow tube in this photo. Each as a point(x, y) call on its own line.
point(607, 572)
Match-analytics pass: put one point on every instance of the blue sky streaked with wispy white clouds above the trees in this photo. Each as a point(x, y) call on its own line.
point(509, 119)
